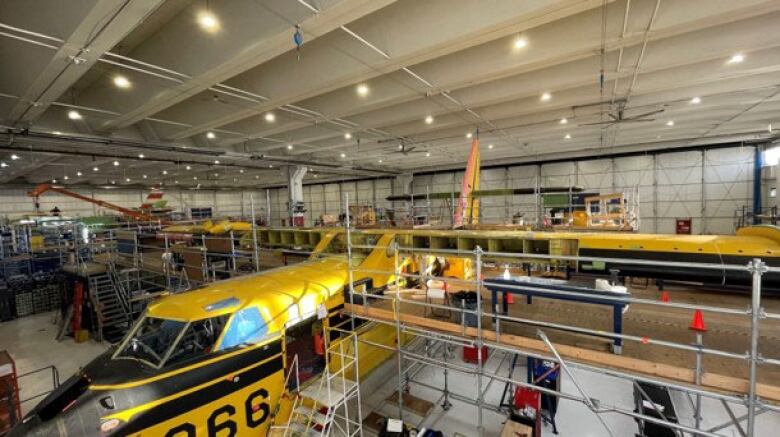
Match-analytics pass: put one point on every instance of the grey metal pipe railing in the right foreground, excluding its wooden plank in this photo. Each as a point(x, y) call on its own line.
point(398, 305)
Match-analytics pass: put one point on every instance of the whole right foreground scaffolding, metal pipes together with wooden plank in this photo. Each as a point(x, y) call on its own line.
point(407, 316)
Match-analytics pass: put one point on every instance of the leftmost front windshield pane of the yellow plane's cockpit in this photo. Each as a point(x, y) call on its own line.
point(151, 340)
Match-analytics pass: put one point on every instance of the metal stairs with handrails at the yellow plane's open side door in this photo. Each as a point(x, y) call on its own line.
point(322, 406)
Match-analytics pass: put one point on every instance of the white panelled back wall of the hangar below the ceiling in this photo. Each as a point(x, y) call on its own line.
point(706, 185)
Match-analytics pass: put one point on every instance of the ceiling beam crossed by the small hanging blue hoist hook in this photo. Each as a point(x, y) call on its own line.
point(327, 20)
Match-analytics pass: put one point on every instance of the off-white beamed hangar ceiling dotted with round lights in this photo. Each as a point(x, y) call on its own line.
point(215, 93)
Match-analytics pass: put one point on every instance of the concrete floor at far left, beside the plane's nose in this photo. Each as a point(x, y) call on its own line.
point(31, 342)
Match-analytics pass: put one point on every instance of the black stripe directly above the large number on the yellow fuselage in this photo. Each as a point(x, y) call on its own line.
point(183, 404)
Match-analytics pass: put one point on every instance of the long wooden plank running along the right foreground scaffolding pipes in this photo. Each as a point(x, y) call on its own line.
point(711, 381)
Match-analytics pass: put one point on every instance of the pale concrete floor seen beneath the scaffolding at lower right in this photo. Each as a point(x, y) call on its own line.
point(574, 419)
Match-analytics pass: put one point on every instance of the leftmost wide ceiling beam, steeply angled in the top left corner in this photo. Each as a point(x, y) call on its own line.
point(101, 29)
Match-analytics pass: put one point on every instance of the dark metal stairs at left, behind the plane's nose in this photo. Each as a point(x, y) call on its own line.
point(111, 306)
